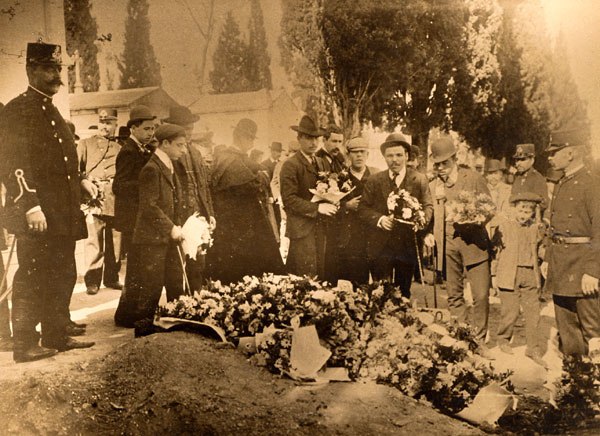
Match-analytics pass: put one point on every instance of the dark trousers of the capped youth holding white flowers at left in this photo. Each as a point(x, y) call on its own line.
point(149, 268)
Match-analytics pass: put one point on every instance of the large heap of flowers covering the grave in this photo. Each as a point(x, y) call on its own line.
point(371, 331)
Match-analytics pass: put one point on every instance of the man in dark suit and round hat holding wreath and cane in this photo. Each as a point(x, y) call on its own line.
point(391, 246)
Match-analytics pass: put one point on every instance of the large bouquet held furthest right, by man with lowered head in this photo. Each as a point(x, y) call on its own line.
point(470, 208)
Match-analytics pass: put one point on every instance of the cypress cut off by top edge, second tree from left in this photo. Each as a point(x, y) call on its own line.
point(139, 67)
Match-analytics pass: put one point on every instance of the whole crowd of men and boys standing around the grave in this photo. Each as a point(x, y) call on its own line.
point(138, 192)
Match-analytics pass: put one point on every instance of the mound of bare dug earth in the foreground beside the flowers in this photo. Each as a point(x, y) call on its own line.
point(181, 383)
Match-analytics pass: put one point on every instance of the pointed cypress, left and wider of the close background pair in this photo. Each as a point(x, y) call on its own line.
point(230, 60)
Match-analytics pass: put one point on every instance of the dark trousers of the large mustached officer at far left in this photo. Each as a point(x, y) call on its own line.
point(42, 289)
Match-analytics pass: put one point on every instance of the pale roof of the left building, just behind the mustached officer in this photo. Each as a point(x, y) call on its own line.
point(116, 98)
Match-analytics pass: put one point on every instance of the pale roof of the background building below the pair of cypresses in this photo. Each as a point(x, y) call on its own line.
point(239, 102)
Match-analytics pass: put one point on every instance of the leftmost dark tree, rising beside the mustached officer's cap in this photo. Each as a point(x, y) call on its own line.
point(81, 32)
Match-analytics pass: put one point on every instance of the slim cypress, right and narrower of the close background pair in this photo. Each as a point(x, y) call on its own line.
point(259, 73)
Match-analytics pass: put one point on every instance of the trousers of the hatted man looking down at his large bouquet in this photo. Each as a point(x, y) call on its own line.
point(479, 278)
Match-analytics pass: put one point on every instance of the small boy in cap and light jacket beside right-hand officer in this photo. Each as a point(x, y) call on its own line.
point(517, 273)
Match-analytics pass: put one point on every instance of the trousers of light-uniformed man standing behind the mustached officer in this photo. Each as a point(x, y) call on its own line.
point(102, 252)
